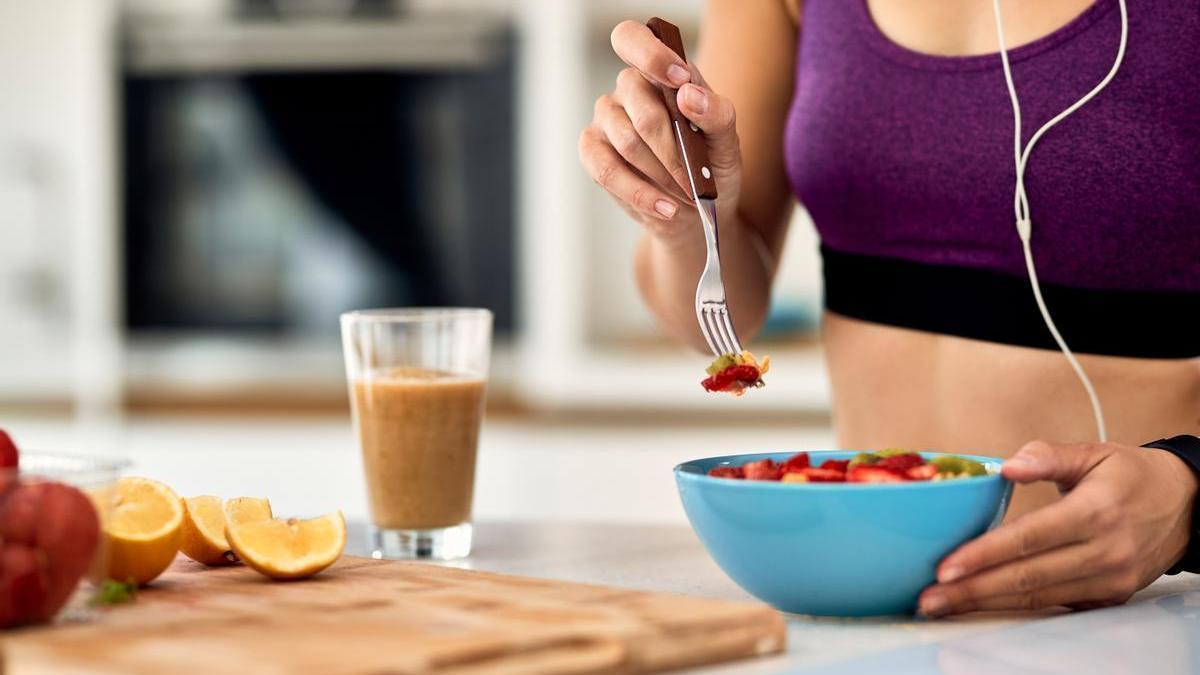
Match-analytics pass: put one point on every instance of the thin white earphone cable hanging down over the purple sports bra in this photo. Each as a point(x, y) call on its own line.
point(1022, 204)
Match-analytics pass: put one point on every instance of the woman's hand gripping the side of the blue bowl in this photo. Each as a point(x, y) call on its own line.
point(1124, 519)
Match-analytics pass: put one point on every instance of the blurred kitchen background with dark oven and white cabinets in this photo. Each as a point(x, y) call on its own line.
point(191, 192)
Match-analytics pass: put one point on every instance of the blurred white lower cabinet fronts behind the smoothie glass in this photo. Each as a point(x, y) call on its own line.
point(604, 470)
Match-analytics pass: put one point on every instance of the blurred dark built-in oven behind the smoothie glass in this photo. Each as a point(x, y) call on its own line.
point(278, 172)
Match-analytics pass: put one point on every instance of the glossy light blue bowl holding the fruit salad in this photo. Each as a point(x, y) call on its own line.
point(836, 549)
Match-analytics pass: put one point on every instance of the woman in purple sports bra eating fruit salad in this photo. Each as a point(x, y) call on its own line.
point(893, 124)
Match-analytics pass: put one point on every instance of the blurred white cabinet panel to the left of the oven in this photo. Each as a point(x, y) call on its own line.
point(58, 244)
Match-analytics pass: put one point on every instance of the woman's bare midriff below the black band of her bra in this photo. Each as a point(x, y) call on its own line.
point(895, 387)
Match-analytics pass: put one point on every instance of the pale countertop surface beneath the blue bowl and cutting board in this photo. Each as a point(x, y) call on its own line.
point(1157, 632)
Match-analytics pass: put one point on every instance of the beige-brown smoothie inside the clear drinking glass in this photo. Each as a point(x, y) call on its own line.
point(419, 431)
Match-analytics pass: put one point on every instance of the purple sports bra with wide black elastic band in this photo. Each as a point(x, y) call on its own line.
point(905, 163)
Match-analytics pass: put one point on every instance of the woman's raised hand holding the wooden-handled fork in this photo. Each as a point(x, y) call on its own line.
point(631, 147)
